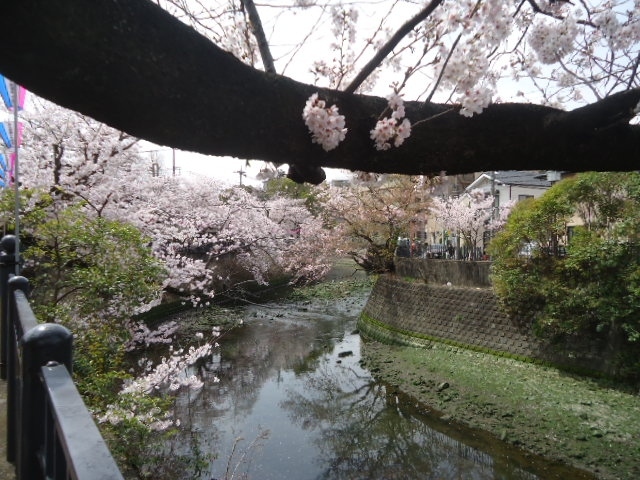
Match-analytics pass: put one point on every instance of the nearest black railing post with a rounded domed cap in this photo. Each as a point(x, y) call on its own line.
point(42, 344)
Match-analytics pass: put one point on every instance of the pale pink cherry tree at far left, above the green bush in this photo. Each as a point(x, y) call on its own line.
point(80, 159)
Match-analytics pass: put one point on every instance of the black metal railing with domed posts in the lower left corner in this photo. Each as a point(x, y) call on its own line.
point(50, 433)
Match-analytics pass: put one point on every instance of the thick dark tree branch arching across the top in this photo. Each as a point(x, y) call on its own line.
point(131, 65)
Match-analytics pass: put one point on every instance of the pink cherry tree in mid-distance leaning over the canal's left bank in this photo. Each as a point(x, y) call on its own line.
point(214, 237)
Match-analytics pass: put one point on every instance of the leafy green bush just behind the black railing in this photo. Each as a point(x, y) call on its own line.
point(88, 268)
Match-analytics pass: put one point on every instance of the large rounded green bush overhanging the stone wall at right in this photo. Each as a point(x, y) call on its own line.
point(594, 288)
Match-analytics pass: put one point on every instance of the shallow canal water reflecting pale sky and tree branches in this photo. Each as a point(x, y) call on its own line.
point(293, 402)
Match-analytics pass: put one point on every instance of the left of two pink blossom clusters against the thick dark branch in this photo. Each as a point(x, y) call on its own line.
point(326, 125)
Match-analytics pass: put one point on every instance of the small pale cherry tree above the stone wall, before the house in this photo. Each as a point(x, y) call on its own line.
point(470, 215)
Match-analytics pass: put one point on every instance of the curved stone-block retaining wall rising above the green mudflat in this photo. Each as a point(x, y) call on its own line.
point(415, 312)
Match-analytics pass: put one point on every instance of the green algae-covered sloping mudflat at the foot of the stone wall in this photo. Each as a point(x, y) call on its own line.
point(575, 420)
